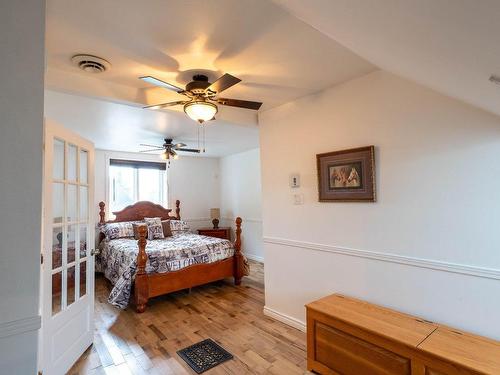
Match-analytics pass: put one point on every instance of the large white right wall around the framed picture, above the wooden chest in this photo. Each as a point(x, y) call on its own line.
point(429, 245)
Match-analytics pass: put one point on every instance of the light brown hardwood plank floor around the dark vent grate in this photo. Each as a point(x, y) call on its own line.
point(130, 343)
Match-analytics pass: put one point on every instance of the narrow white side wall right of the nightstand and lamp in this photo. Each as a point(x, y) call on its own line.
point(240, 195)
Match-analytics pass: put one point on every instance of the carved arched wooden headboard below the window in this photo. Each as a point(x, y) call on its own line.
point(138, 211)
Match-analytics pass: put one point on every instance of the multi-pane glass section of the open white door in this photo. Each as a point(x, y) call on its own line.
point(71, 226)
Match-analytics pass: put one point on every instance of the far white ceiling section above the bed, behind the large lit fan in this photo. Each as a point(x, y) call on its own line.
point(114, 126)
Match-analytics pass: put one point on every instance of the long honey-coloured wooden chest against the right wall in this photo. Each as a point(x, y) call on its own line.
point(352, 337)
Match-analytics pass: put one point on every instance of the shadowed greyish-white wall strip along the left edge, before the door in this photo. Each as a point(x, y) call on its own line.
point(21, 136)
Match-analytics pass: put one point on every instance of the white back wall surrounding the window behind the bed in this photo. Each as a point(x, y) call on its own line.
point(192, 180)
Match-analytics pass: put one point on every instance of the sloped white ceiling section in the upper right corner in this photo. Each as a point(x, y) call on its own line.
point(448, 45)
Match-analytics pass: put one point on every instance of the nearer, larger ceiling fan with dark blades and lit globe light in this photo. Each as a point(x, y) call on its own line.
point(203, 96)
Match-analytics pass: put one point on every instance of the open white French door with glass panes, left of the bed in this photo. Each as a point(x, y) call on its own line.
point(67, 296)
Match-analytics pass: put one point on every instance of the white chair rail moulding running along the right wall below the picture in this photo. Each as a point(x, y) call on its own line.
point(488, 273)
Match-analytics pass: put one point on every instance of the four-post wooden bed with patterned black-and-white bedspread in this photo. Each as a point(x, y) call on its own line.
point(142, 269)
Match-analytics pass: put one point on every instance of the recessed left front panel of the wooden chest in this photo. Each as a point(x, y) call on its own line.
point(349, 355)
